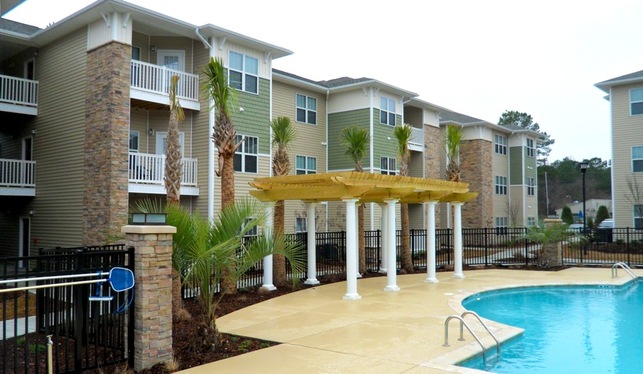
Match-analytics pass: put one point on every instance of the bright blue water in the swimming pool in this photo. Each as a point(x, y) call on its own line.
point(568, 329)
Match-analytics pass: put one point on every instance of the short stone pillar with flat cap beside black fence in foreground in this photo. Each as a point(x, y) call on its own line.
point(152, 293)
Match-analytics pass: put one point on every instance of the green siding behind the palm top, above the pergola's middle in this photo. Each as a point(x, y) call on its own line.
point(336, 122)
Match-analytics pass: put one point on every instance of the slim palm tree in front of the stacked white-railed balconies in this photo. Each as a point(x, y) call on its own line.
point(173, 175)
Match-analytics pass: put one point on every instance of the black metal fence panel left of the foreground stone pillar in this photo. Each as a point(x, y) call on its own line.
point(84, 334)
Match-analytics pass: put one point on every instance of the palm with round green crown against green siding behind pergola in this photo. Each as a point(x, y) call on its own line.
point(356, 140)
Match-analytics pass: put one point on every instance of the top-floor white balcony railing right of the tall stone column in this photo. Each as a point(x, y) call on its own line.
point(156, 79)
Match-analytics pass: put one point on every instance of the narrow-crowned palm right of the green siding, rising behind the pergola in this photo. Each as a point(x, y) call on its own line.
point(403, 135)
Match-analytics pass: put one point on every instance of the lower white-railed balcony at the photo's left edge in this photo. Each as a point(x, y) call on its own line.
point(17, 178)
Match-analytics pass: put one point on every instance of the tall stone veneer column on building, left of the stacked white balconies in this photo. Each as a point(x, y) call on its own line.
point(107, 113)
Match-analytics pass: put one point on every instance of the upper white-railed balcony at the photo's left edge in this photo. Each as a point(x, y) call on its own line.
point(18, 95)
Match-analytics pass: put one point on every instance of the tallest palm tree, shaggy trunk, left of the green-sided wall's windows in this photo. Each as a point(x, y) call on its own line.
point(224, 136)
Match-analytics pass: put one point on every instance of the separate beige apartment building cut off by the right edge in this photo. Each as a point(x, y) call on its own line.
point(625, 94)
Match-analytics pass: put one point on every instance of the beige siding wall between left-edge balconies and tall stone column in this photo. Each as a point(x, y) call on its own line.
point(58, 146)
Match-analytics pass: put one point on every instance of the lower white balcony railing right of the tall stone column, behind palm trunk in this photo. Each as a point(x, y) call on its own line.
point(147, 168)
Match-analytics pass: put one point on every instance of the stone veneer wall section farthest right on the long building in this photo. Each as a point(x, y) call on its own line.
point(476, 167)
